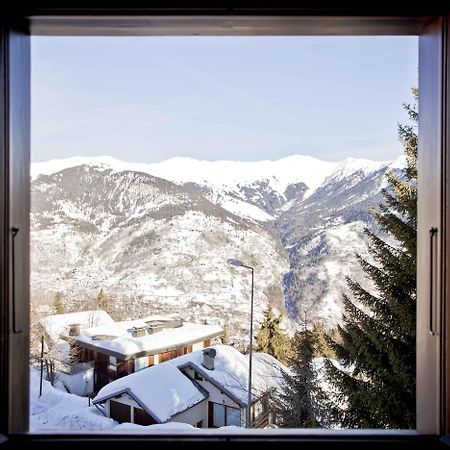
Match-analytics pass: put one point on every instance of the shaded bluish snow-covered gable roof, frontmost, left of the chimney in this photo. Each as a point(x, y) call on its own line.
point(162, 390)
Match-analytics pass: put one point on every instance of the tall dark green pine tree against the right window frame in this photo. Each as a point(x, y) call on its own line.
point(378, 344)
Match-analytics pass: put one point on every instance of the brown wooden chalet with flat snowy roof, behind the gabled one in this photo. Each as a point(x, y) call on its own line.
point(122, 348)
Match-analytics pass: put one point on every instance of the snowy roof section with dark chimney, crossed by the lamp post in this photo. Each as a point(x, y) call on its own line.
point(231, 372)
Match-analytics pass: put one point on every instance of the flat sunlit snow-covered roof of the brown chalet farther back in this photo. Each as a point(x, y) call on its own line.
point(121, 343)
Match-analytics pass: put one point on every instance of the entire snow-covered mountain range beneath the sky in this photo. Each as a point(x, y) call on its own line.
point(157, 236)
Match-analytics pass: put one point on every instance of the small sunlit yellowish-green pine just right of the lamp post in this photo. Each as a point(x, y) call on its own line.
point(270, 339)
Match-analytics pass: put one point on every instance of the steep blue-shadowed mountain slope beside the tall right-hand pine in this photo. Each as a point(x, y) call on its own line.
point(323, 233)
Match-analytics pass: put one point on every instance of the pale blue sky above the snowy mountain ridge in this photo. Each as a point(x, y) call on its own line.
point(147, 99)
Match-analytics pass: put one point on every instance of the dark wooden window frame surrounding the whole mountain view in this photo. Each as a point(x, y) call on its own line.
point(430, 23)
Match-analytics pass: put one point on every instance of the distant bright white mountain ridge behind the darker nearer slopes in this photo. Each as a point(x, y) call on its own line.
point(253, 189)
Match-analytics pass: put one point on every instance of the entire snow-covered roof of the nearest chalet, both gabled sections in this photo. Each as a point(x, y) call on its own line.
point(164, 391)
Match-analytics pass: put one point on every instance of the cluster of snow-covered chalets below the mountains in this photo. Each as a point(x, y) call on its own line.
point(155, 370)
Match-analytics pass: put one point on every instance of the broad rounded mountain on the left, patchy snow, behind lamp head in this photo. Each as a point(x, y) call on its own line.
point(151, 245)
